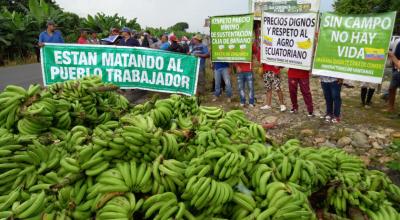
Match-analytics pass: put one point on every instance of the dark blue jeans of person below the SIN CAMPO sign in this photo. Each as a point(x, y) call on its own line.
point(332, 97)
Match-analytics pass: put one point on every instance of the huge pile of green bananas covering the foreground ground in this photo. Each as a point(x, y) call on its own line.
point(79, 150)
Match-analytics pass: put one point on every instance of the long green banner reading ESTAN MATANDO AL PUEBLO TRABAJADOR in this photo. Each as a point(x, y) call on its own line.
point(126, 67)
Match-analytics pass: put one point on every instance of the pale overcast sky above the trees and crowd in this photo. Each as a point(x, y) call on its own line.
point(164, 13)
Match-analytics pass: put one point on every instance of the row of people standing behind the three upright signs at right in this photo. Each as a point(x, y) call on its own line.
point(297, 78)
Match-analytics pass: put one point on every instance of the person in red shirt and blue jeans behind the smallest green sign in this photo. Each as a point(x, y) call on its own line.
point(245, 76)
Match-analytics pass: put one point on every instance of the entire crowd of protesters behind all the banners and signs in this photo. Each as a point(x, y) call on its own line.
point(271, 75)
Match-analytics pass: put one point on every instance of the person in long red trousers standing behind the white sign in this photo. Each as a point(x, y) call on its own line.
point(300, 78)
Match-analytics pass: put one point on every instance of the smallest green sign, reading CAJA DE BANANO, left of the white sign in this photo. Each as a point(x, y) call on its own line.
point(232, 38)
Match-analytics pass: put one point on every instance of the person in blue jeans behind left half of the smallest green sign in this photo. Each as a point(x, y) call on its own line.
point(222, 72)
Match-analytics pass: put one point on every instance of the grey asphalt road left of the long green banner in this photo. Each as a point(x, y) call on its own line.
point(22, 75)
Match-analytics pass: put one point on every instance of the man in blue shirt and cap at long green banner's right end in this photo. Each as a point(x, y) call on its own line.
point(200, 50)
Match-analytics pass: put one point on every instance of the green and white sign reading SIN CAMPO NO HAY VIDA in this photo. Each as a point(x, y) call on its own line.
point(354, 47)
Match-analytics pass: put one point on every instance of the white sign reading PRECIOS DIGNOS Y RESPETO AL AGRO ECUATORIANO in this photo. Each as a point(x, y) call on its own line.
point(288, 39)
